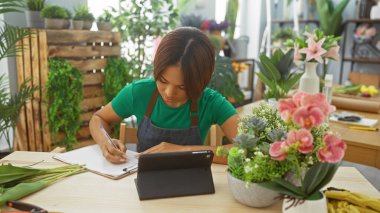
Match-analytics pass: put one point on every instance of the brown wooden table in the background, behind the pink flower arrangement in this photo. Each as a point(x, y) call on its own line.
point(362, 146)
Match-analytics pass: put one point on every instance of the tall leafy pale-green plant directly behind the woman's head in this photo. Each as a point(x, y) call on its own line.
point(139, 22)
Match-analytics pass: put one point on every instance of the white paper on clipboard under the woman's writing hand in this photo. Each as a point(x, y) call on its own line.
point(92, 157)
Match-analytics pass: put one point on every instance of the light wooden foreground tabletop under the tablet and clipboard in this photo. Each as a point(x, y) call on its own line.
point(88, 192)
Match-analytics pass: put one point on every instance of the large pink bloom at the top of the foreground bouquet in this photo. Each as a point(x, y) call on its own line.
point(308, 117)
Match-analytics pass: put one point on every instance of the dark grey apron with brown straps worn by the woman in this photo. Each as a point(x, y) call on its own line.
point(150, 135)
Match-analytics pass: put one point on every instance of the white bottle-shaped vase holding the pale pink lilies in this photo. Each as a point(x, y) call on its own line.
point(309, 82)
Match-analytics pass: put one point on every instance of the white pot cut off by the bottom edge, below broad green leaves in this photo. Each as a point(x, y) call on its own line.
point(309, 206)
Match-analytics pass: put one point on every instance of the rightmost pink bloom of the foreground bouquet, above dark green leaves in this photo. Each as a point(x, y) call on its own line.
point(333, 149)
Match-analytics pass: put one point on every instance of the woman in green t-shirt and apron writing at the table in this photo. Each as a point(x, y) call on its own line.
point(175, 109)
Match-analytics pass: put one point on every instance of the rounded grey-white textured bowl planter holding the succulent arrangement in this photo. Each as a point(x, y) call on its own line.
point(254, 195)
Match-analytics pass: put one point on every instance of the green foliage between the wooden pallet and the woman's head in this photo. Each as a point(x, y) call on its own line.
point(117, 74)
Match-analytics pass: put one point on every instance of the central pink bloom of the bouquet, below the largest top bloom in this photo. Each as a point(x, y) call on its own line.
point(302, 140)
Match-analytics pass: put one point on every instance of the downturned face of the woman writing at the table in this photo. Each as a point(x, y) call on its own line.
point(171, 86)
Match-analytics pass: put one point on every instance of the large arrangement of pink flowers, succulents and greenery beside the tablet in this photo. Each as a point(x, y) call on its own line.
point(290, 150)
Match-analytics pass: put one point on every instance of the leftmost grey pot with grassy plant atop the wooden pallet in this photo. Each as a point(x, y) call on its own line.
point(33, 13)
